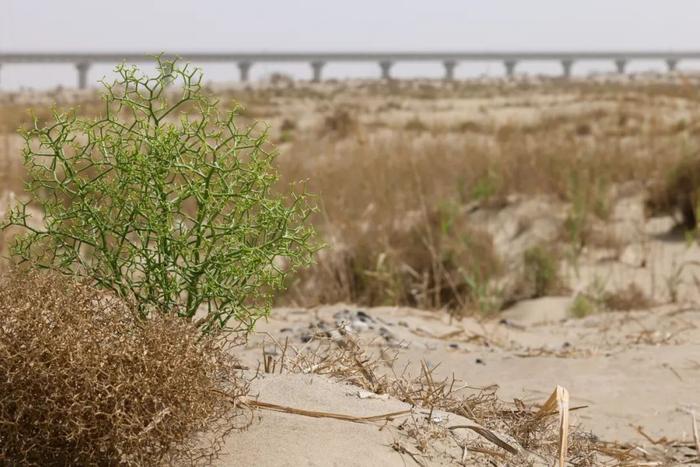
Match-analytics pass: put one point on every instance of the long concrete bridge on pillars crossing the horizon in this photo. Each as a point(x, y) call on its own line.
point(385, 60)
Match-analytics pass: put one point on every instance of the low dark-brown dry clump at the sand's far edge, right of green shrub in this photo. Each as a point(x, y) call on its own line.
point(432, 261)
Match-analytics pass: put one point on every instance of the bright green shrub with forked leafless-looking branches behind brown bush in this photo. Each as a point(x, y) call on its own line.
point(165, 200)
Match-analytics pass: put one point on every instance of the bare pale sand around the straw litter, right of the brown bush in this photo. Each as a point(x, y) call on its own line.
point(636, 373)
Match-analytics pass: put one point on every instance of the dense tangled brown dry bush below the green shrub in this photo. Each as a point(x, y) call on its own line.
point(84, 381)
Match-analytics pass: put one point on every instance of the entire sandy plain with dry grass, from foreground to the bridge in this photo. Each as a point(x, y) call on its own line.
point(483, 242)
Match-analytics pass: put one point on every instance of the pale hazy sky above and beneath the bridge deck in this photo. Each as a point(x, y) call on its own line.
point(208, 25)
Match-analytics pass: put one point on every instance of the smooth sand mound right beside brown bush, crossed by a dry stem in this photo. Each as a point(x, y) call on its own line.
point(279, 439)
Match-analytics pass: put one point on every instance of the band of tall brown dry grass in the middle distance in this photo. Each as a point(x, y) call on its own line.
point(395, 206)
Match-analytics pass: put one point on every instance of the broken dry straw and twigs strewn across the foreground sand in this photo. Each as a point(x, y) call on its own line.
point(512, 433)
